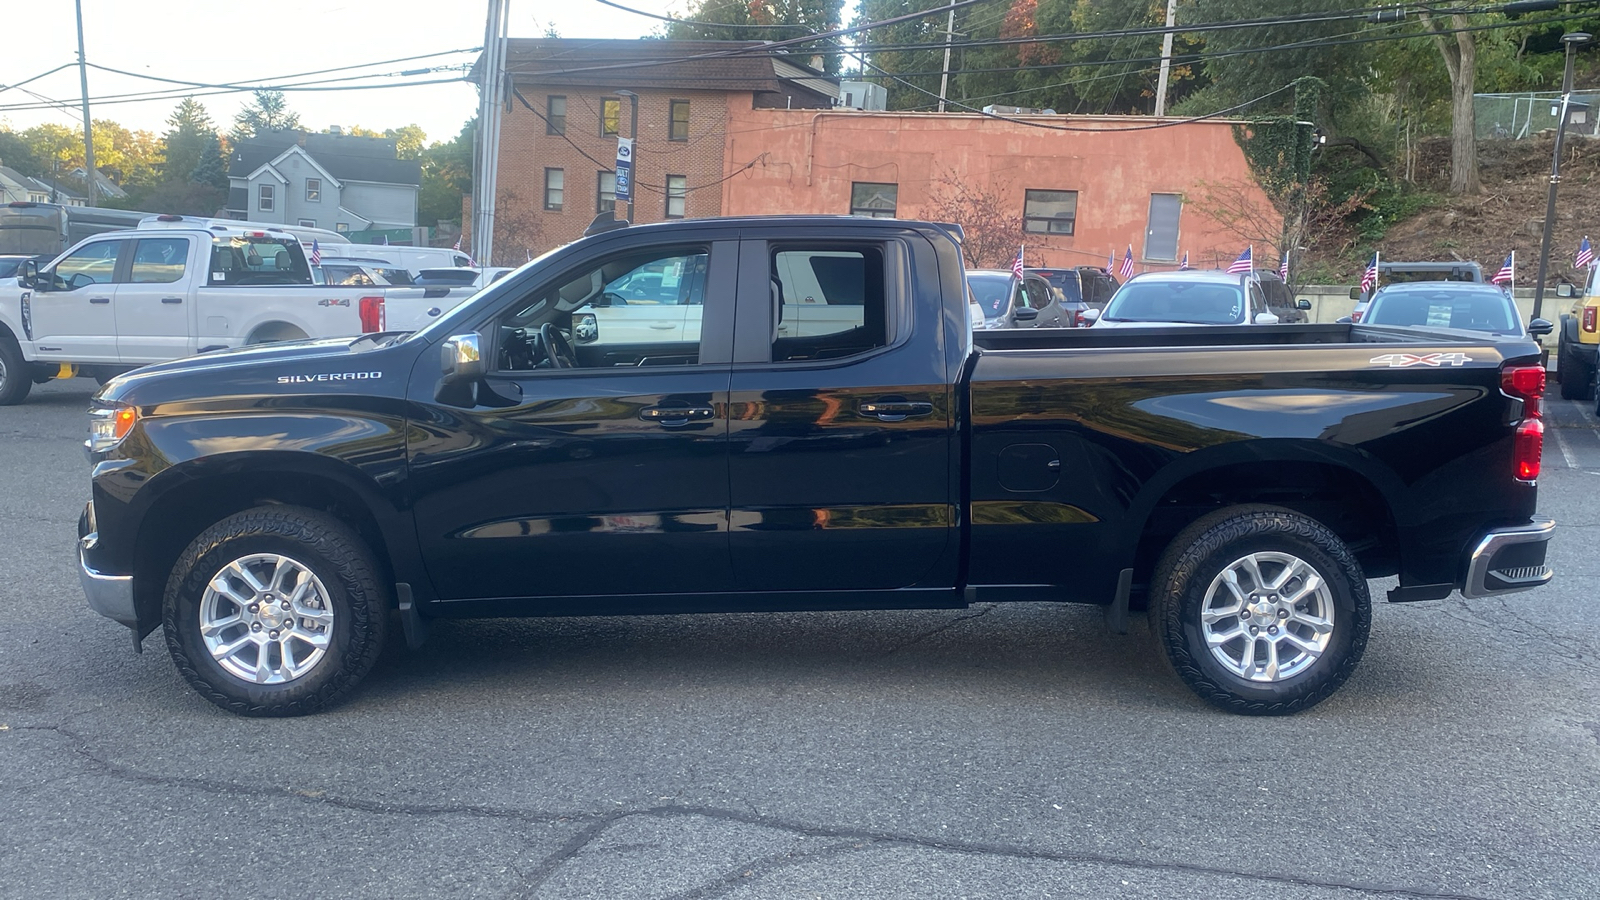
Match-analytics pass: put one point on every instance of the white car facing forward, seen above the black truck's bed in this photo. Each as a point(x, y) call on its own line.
point(1188, 297)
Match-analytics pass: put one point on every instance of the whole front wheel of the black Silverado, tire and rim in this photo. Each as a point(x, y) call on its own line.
point(276, 613)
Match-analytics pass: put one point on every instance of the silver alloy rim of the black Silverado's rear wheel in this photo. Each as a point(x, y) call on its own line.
point(1268, 617)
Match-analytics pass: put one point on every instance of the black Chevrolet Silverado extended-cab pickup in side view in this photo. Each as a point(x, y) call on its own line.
point(798, 419)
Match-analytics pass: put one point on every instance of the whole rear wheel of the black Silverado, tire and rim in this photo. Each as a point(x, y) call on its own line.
point(1260, 611)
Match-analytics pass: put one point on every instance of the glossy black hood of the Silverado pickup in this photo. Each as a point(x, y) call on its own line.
point(326, 361)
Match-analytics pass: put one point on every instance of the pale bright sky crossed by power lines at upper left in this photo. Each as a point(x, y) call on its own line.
point(209, 42)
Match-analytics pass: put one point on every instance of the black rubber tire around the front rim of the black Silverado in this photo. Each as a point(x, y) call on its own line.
point(350, 587)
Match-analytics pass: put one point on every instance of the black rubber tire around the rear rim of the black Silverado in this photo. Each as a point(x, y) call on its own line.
point(1202, 553)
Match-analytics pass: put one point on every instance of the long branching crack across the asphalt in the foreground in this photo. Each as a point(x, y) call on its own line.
point(596, 824)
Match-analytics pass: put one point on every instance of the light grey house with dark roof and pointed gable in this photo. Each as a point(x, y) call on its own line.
point(334, 182)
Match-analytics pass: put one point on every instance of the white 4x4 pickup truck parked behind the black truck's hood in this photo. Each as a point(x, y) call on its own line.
point(129, 299)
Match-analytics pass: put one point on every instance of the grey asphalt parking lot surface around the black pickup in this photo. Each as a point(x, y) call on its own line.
point(998, 752)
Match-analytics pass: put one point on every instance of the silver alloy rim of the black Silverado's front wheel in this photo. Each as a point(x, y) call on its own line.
point(266, 619)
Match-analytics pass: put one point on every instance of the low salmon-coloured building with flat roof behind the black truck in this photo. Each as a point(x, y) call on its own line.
point(1079, 196)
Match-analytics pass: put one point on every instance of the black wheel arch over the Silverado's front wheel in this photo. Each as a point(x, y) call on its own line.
point(198, 496)
